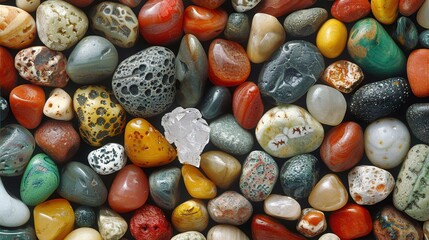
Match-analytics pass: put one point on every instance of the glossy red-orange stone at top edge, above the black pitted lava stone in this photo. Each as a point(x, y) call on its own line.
point(161, 21)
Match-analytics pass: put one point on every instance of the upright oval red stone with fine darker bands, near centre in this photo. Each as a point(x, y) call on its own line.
point(247, 105)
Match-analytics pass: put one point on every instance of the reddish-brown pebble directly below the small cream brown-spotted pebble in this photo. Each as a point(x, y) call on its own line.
point(58, 139)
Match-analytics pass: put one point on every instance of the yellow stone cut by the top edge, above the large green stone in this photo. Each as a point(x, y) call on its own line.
point(385, 11)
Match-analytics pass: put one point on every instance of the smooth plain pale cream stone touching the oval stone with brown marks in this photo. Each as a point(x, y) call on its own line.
point(326, 104)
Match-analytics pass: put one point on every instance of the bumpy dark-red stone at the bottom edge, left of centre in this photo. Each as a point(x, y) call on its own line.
point(149, 222)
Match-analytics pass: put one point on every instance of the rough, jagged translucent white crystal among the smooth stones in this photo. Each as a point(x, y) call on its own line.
point(188, 131)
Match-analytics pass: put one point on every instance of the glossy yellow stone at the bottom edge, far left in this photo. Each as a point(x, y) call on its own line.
point(53, 219)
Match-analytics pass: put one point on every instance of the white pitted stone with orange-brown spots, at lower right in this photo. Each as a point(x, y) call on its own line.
point(369, 185)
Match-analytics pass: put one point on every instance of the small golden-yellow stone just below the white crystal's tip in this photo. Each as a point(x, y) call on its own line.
point(197, 184)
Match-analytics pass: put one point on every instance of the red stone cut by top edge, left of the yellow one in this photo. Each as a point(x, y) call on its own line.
point(350, 10)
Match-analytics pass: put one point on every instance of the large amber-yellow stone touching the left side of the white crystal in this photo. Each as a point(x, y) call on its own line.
point(145, 146)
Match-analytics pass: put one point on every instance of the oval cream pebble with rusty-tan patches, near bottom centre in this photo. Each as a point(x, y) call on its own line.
point(230, 208)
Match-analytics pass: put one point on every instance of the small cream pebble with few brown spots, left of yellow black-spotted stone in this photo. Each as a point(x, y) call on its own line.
point(59, 105)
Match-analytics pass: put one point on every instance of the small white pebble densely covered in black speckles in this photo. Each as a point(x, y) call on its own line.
point(107, 159)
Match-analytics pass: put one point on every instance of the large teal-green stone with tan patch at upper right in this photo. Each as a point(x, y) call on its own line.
point(374, 50)
